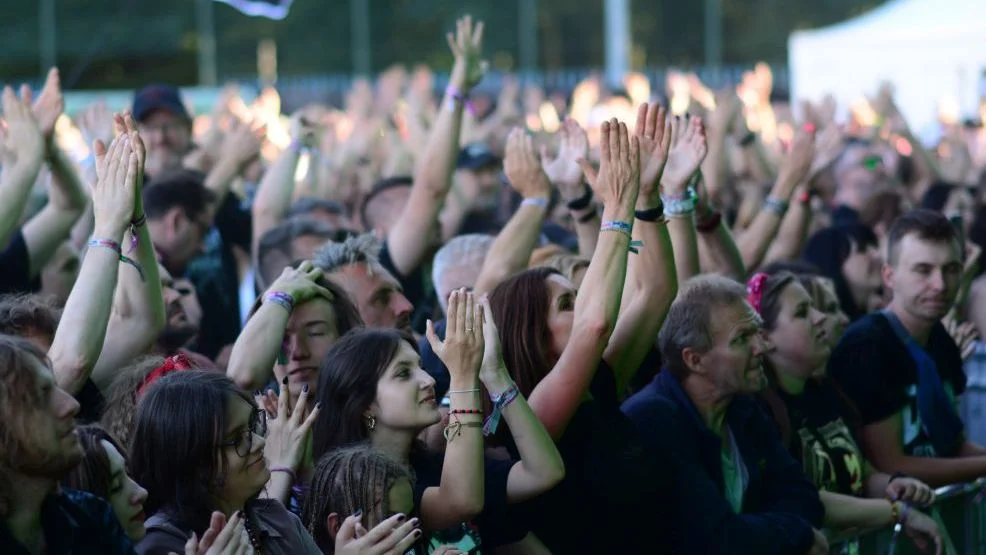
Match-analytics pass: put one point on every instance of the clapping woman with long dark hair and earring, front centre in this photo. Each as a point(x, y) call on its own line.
point(372, 387)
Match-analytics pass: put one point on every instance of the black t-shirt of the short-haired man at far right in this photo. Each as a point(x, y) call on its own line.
point(878, 374)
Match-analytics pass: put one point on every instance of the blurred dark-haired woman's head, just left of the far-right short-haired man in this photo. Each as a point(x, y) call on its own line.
point(849, 255)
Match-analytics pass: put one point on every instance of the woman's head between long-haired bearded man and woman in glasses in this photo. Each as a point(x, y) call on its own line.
point(103, 473)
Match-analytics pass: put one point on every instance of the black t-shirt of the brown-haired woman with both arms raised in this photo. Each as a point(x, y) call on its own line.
point(614, 495)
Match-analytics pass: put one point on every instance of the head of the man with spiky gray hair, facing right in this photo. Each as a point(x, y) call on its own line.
point(354, 265)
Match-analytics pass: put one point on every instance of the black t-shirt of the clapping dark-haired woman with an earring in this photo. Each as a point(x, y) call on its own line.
point(494, 527)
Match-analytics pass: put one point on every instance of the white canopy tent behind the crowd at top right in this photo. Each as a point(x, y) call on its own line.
point(931, 50)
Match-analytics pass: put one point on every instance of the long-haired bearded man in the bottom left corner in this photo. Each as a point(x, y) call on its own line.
point(38, 446)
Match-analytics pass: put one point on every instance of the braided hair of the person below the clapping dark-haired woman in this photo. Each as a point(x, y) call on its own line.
point(348, 479)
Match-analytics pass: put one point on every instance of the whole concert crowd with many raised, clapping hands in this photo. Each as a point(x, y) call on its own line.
point(460, 324)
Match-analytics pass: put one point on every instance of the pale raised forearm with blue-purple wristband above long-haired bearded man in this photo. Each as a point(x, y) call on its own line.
point(82, 328)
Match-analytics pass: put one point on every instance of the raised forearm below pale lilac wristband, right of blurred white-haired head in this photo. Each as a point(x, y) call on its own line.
point(511, 250)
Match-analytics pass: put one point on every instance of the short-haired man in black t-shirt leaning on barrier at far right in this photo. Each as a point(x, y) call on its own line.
point(902, 369)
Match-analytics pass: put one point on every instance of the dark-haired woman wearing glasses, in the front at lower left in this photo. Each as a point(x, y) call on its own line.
point(198, 447)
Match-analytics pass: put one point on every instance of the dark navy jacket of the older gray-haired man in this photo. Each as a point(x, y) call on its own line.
point(780, 506)
